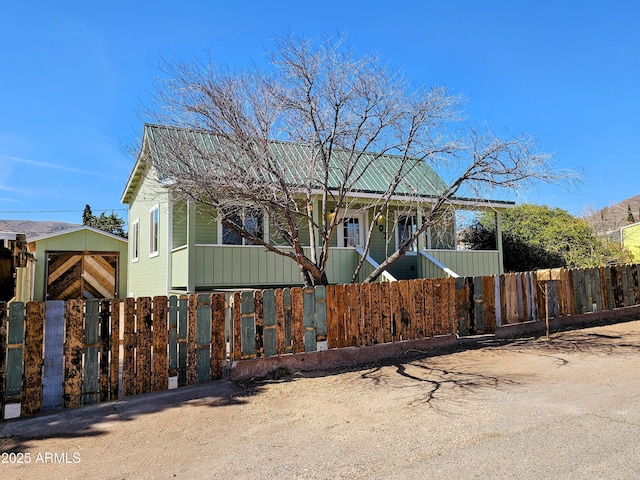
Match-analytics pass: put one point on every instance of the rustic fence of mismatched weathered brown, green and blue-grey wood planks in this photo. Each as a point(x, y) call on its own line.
point(59, 354)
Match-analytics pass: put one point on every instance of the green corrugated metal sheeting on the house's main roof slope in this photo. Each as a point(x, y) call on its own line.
point(373, 172)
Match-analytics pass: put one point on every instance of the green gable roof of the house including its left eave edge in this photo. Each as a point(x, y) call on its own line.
point(420, 180)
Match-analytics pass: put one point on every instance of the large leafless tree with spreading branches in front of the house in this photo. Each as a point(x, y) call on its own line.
point(347, 117)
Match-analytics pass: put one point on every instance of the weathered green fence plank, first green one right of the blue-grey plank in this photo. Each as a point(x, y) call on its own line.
point(91, 372)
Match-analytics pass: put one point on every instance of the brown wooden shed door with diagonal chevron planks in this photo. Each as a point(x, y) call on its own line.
point(78, 275)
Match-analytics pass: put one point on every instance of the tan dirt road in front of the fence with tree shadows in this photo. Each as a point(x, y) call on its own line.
point(566, 407)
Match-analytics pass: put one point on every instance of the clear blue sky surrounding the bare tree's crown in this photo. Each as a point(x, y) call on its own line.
point(73, 76)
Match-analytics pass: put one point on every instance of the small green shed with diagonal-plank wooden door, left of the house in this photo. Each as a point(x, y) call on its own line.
point(83, 262)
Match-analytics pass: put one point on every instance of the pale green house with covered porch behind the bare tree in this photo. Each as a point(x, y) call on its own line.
point(176, 247)
